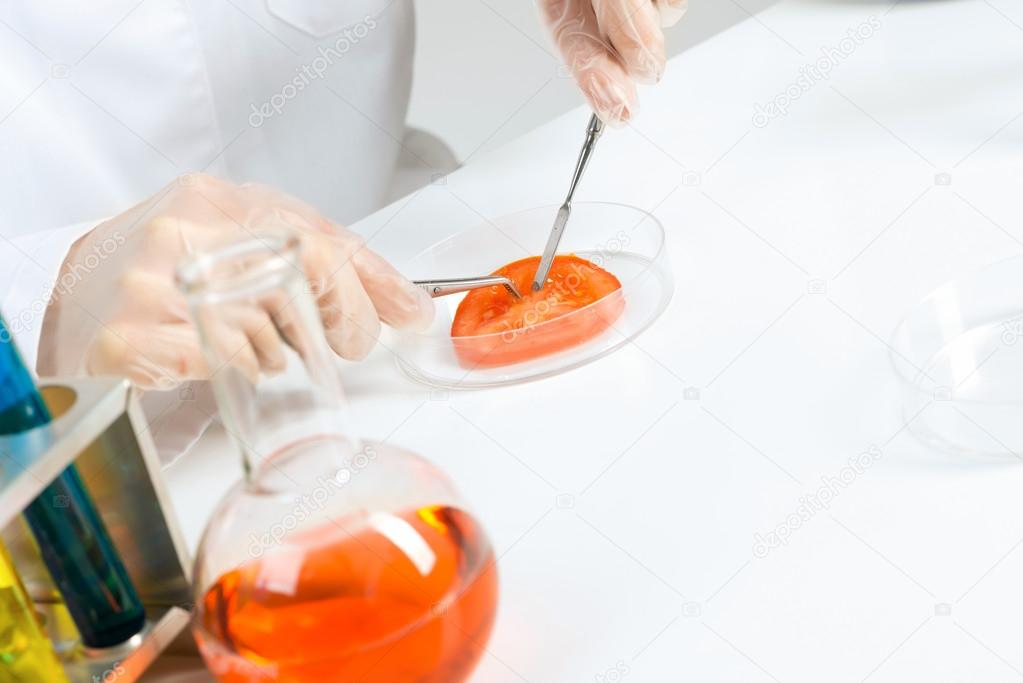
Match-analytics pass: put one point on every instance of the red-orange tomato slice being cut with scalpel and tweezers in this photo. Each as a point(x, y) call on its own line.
point(492, 328)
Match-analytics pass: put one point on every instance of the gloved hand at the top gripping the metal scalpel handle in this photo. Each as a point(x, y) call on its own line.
point(610, 45)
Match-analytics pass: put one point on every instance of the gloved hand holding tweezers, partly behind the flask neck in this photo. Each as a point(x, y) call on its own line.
point(117, 310)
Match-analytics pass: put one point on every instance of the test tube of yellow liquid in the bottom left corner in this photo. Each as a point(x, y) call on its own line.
point(26, 653)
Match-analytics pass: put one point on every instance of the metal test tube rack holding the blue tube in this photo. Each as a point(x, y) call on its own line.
point(100, 427)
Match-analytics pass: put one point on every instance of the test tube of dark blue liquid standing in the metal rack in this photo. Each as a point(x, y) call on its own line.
point(75, 544)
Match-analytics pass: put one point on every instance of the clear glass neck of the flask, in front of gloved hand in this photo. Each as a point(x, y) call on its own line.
point(276, 380)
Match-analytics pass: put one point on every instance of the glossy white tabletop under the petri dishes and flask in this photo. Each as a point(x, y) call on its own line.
point(625, 508)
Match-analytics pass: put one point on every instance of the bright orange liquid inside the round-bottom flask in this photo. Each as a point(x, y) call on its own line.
point(409, 598)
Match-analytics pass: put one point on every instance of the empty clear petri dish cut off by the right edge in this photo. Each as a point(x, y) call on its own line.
point(959, 355)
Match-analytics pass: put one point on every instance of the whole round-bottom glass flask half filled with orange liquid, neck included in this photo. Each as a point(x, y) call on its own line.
point(334, 560)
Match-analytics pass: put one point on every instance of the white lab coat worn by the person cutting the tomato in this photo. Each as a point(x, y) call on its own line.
point(103, 104)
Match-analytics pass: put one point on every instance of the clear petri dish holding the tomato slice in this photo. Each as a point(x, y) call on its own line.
point(622, 240)
